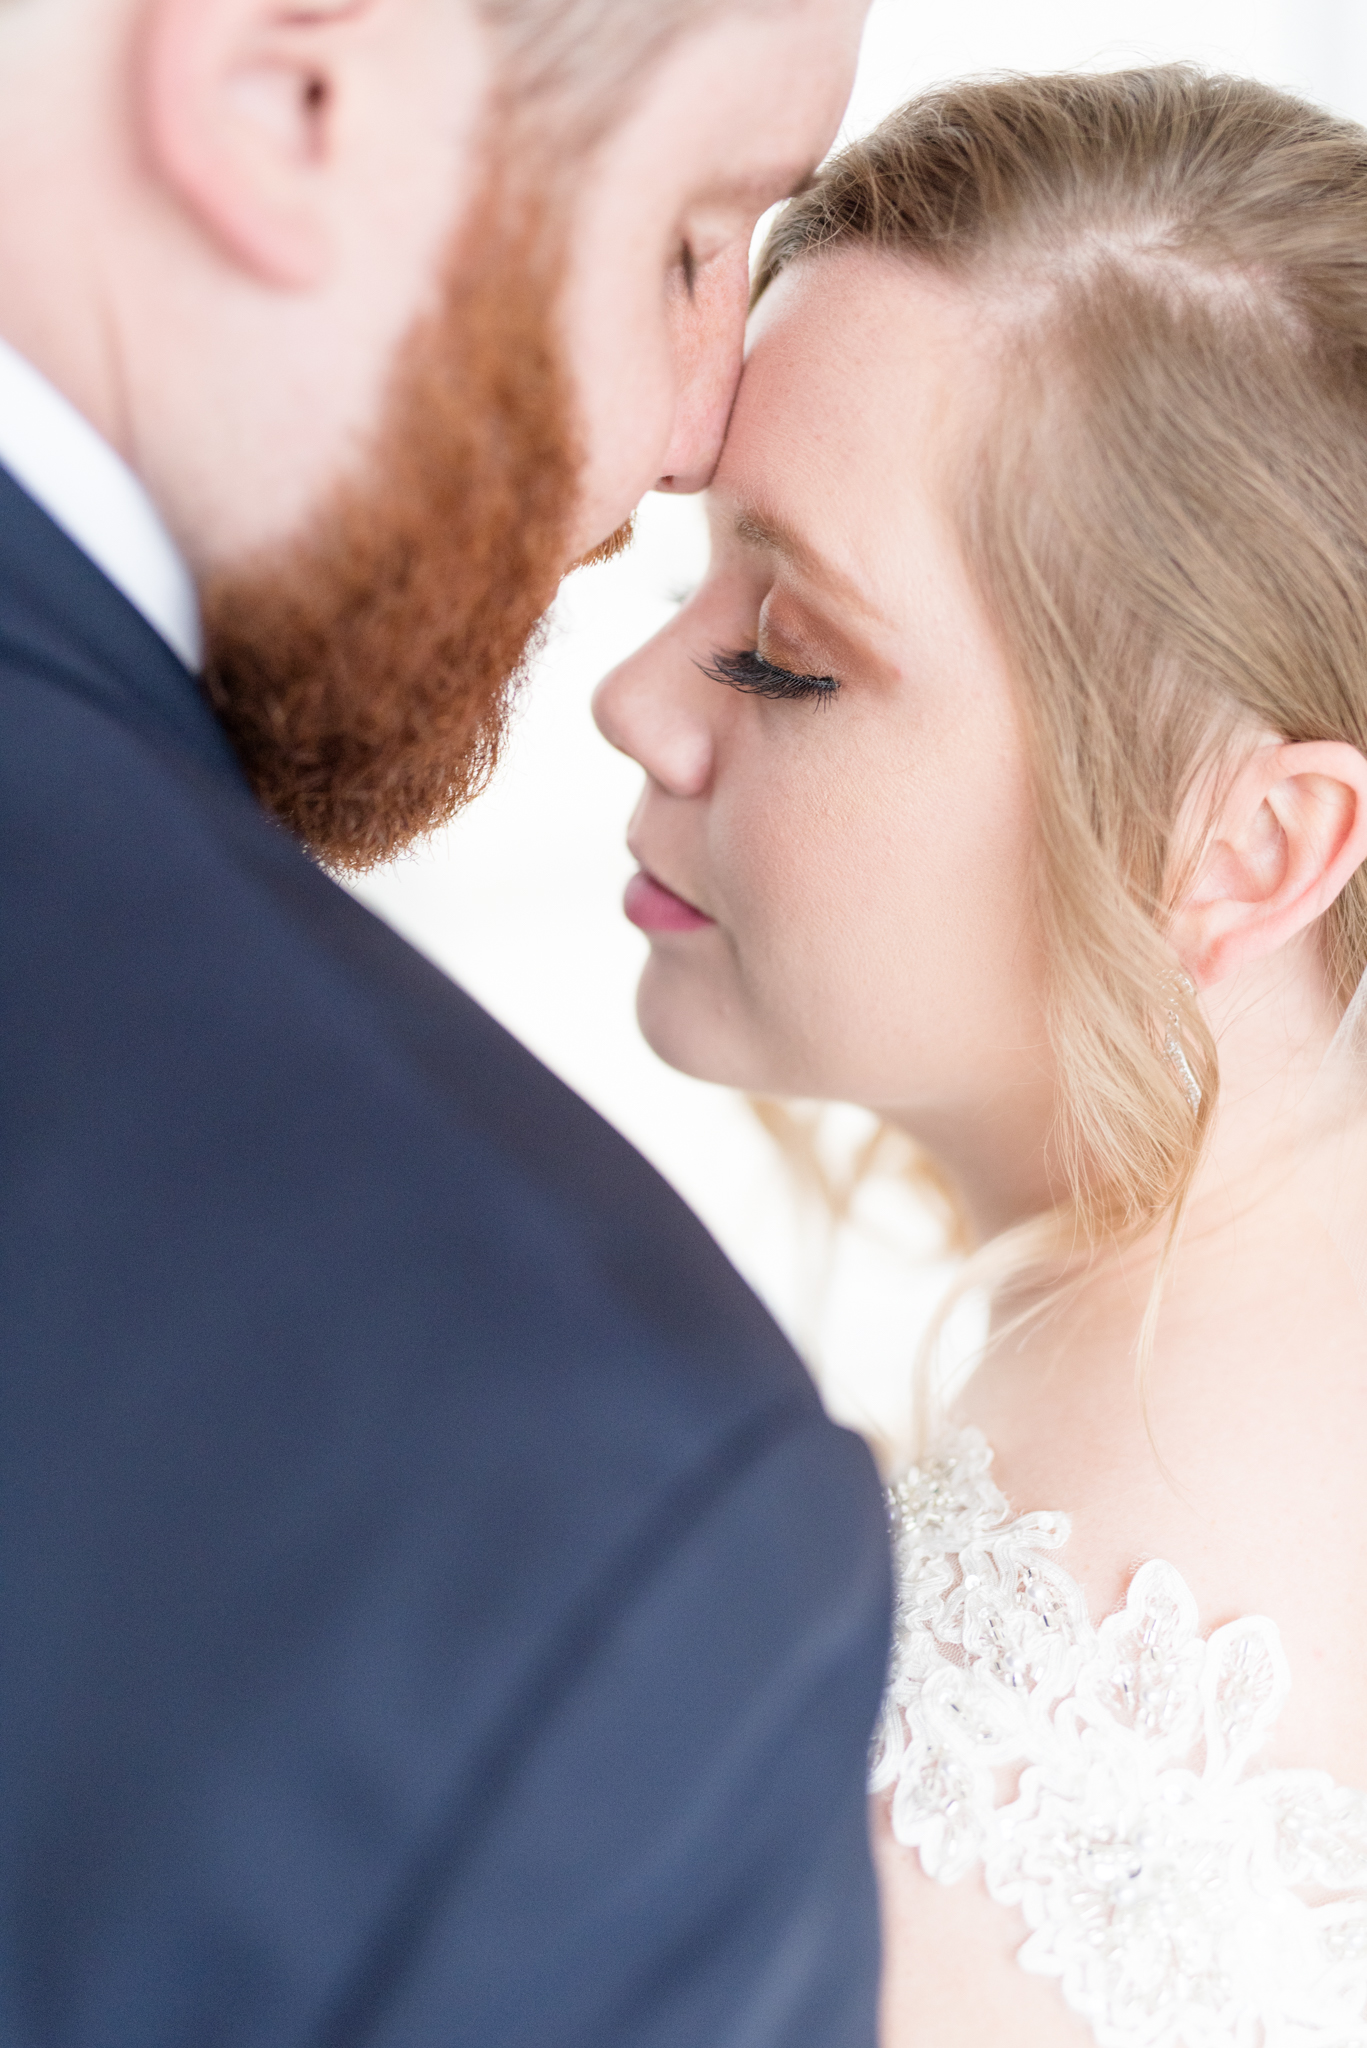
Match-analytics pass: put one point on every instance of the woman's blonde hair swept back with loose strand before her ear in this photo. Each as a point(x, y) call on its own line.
point(1165, 513)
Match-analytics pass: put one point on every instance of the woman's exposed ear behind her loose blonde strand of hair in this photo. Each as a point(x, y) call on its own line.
point(1292, 830)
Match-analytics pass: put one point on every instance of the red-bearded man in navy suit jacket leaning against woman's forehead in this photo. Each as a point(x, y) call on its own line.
point(436, 1607)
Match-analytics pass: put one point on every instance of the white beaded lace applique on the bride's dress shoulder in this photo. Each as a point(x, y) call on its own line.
point(1106, 1781)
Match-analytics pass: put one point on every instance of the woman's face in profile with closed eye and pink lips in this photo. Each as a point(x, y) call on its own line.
point(837, 843)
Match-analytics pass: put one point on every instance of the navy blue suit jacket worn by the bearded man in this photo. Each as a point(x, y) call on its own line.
point(433, 1607)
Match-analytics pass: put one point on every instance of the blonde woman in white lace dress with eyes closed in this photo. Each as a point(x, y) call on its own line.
point(1009, 777)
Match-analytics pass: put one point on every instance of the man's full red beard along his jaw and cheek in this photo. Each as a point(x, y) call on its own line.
point(366, 673)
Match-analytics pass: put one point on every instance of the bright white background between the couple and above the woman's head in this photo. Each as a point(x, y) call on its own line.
point(520, 900)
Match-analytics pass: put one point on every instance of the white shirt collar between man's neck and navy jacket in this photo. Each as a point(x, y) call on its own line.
point(97, 501)
